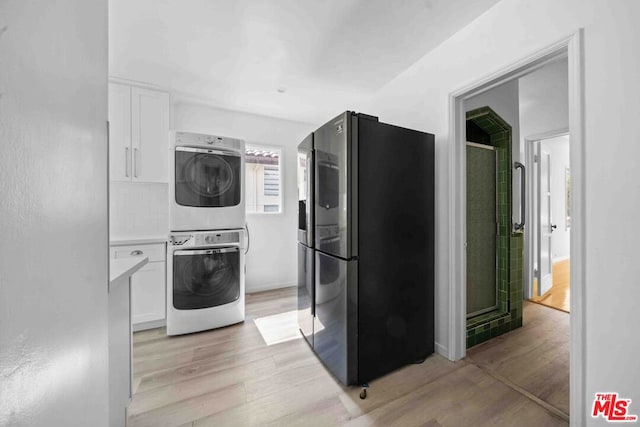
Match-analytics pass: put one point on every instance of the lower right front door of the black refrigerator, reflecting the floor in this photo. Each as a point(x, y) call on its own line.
point(335, 327)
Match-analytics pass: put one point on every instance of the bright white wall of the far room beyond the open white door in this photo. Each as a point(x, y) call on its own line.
point(558, 148)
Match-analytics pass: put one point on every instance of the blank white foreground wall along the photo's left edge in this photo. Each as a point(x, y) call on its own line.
point(53, 215)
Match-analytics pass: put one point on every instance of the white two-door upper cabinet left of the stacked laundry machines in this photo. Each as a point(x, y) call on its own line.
point(139, 134)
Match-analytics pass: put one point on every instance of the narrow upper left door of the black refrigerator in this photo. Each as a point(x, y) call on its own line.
point(305, 191)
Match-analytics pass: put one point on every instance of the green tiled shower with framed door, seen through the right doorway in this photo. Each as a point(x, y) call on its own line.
point(497, 265)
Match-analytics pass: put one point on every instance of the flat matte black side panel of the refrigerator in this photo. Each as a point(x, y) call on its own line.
point(395, 255)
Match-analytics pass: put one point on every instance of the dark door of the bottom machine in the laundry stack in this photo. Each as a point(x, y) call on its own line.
point(205, 278)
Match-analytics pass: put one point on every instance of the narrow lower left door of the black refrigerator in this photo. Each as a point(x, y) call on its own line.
point(306, 277)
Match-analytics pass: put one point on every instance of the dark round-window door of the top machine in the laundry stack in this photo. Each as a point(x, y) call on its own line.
point(207, 178)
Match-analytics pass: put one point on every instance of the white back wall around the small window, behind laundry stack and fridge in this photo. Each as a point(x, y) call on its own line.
point(272, 258)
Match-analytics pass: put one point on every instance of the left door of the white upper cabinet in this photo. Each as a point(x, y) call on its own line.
point(119, 132)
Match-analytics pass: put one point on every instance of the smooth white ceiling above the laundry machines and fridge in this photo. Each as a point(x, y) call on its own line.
point(302, 60)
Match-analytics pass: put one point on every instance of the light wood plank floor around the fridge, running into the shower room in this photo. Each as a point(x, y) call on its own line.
point(231, 377)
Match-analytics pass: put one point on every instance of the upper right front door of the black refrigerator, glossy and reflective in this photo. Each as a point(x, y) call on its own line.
point(332, 168)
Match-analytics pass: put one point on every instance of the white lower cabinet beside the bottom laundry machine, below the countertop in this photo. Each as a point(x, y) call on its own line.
point(148, 285)
